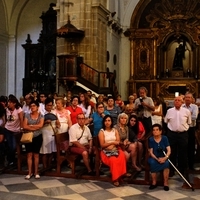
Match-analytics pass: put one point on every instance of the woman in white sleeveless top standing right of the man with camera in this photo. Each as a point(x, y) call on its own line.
point(157, 114)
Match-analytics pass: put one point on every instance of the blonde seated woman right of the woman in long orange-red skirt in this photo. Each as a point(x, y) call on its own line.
point(129, 148)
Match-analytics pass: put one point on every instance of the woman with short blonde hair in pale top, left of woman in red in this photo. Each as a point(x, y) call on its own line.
point(63, 116)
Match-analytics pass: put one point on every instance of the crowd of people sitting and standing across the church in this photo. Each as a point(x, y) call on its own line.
point(122, 129)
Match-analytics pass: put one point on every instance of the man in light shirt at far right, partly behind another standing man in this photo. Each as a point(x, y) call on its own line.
point(191, 131)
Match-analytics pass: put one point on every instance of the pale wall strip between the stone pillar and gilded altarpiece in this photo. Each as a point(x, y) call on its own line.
point(121, 45)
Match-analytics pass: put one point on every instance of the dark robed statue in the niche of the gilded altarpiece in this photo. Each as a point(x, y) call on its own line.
point(179, 56)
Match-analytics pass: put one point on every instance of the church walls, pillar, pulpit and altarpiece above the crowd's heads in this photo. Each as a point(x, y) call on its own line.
point(71, 45)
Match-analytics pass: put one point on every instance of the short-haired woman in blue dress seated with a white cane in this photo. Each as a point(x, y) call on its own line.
point(158, 161)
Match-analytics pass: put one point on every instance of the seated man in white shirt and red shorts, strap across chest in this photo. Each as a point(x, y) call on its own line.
point(81, 139)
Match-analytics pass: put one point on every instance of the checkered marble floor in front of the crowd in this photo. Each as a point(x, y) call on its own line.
point(14, 187)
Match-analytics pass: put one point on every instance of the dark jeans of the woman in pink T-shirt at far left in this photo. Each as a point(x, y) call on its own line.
point(11, 142)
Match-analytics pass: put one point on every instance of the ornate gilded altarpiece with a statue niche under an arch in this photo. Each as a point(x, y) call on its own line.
point(165, 53)
